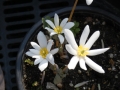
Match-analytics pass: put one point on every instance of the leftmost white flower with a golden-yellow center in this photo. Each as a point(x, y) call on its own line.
point(42, 52)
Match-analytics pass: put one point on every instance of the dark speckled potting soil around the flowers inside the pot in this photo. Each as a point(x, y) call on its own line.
point(110, 60)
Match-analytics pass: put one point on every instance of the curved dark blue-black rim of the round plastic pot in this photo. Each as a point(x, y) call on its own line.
point(34, 27)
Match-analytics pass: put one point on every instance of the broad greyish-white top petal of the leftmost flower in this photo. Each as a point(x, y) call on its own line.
point(42, 39)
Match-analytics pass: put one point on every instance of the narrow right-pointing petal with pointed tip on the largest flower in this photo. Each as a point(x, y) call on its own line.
point(97, 51)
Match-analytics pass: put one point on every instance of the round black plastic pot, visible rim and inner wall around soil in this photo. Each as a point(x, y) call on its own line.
point(38, 26)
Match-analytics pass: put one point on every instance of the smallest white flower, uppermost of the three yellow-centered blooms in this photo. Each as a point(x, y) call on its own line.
point(58, 28)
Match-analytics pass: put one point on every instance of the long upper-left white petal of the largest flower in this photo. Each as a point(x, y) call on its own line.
point(70, 38)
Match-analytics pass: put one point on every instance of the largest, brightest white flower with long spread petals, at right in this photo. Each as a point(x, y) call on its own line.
point(80, 52)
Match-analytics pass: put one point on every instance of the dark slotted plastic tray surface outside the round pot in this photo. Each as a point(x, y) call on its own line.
point(18, 16)
